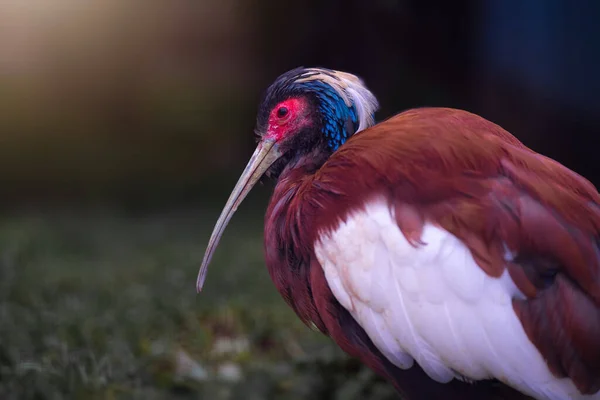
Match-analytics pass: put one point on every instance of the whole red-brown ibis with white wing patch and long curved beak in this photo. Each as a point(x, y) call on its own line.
point(433, 246)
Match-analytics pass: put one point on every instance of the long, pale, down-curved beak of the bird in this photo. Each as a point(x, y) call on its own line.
point(264, 156)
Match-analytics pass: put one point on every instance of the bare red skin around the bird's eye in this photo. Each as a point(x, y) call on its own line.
point(280, 126)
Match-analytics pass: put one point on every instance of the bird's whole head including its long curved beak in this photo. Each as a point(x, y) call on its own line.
point(306, 111)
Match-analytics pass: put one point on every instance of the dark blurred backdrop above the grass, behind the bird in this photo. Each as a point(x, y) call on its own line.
point(148, 101)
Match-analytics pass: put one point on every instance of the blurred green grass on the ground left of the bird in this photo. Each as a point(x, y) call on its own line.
point(103, 305)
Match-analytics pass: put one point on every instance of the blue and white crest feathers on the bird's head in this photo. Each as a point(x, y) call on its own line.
point(345, 104)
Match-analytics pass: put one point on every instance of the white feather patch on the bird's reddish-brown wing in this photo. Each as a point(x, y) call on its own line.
point(433, 304)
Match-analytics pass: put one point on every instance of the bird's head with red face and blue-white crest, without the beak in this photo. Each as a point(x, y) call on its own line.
point(307, 108)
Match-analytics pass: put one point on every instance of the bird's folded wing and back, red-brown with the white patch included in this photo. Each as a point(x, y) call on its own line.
point(453, 244)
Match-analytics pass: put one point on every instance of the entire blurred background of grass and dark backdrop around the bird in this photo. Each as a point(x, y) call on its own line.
point(125, 123)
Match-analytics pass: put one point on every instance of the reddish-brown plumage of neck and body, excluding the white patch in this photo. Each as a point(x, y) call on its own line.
point(467, 175)
